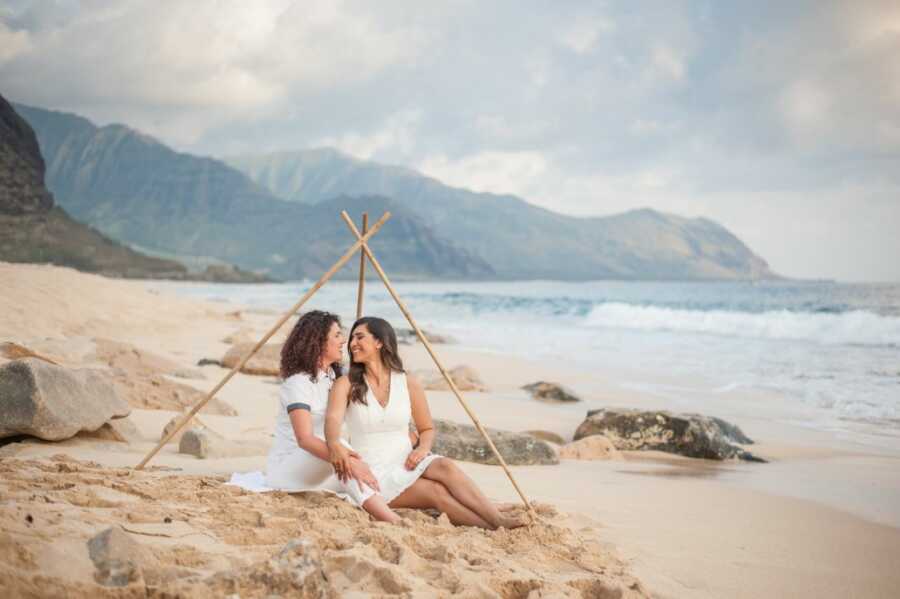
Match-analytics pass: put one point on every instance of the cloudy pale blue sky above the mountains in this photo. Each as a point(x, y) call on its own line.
point(780, 120)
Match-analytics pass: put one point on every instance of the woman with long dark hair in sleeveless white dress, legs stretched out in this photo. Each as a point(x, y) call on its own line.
point(378, 398)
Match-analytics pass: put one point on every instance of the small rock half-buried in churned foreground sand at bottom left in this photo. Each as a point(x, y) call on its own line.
point(118, 559)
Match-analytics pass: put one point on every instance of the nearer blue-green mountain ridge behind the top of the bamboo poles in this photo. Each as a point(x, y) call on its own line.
point(136, 189)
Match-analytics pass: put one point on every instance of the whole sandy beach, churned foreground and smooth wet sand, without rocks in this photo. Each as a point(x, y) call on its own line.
point(820, 519)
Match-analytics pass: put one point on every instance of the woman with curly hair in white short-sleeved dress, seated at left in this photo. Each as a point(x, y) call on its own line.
point(299, 457)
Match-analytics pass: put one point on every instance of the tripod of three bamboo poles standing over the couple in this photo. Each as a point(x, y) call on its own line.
point(362, 246)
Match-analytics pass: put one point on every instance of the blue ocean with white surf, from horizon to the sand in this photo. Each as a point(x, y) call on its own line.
point(833, 348)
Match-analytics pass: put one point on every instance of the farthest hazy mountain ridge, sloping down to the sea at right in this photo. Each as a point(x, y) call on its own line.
point(518, 239)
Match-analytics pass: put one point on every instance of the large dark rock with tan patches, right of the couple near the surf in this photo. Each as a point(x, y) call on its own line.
point(691, 435)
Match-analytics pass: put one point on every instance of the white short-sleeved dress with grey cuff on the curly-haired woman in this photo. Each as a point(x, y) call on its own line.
point(289, 466)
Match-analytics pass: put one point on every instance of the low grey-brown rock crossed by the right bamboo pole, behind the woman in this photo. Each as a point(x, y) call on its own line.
point(464, 442)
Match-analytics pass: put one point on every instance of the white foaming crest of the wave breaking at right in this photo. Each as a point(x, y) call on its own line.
point(856, 327)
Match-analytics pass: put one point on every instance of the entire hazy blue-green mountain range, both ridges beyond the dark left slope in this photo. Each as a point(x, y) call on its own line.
point(278, 214)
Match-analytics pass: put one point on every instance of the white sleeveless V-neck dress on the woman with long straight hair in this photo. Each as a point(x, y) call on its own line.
point(381, 436)
